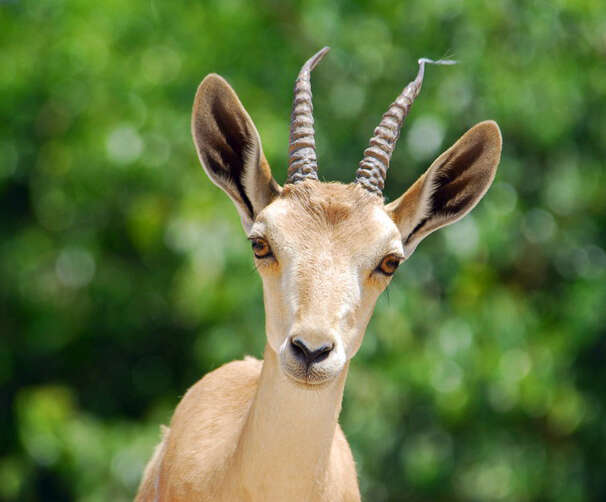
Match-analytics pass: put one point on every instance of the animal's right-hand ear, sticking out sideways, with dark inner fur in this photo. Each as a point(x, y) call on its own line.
point(451, 187)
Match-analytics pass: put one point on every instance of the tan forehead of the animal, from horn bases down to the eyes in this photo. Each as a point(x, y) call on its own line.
point(313, 209)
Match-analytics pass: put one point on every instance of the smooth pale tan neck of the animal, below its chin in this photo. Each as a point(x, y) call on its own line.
point(285, 445)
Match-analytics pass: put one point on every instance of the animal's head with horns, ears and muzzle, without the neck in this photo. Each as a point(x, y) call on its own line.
point(326, 251)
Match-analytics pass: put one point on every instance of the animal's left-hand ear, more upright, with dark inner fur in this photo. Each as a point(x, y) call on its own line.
point(230, 150)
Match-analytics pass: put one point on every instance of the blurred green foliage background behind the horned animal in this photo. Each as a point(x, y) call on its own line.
point(125, 276)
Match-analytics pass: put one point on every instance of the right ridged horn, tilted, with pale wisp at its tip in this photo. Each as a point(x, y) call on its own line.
point(373, 167)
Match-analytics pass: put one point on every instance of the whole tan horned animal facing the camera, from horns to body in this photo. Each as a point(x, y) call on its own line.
point(268, 430)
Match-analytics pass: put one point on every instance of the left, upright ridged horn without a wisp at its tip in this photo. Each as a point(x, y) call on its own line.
point(302, 160)
